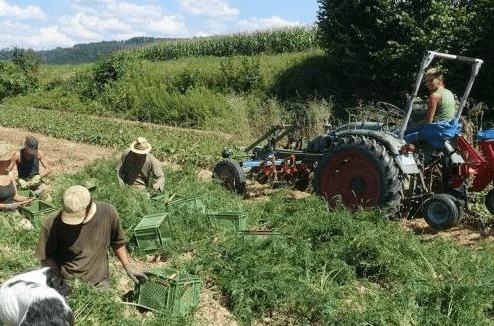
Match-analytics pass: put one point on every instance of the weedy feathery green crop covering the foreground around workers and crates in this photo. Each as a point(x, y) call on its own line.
point(319, 267)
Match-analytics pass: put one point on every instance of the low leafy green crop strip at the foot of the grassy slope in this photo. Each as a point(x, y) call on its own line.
point(180, 145)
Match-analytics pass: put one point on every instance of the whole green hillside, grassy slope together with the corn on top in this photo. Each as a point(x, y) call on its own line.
point(196, 88)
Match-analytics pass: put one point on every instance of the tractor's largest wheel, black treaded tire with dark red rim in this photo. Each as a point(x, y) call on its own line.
point(359, 171)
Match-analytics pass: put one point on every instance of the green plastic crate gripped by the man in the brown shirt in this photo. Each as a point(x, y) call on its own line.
point(169, 291)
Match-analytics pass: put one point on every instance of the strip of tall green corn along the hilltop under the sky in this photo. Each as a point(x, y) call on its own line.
point(277, 41)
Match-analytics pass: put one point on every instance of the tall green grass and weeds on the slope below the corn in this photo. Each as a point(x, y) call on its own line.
point(224, 94)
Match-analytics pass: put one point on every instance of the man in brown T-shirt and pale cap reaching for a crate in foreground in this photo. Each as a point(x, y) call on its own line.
point(75, 240)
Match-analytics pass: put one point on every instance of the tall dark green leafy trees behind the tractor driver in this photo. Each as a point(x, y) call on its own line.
point(375, 46)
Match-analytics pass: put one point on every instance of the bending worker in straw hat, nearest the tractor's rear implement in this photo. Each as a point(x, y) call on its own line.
point(137, 164)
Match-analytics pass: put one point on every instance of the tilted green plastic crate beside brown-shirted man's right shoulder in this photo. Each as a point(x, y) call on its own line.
point(153, 232)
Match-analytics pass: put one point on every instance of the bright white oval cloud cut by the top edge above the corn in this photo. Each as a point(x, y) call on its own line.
point(209, 8)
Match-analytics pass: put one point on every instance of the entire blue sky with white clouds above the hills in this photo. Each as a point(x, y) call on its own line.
point(48, 24)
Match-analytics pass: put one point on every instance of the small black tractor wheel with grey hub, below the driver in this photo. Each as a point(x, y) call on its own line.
point(440, 211)
